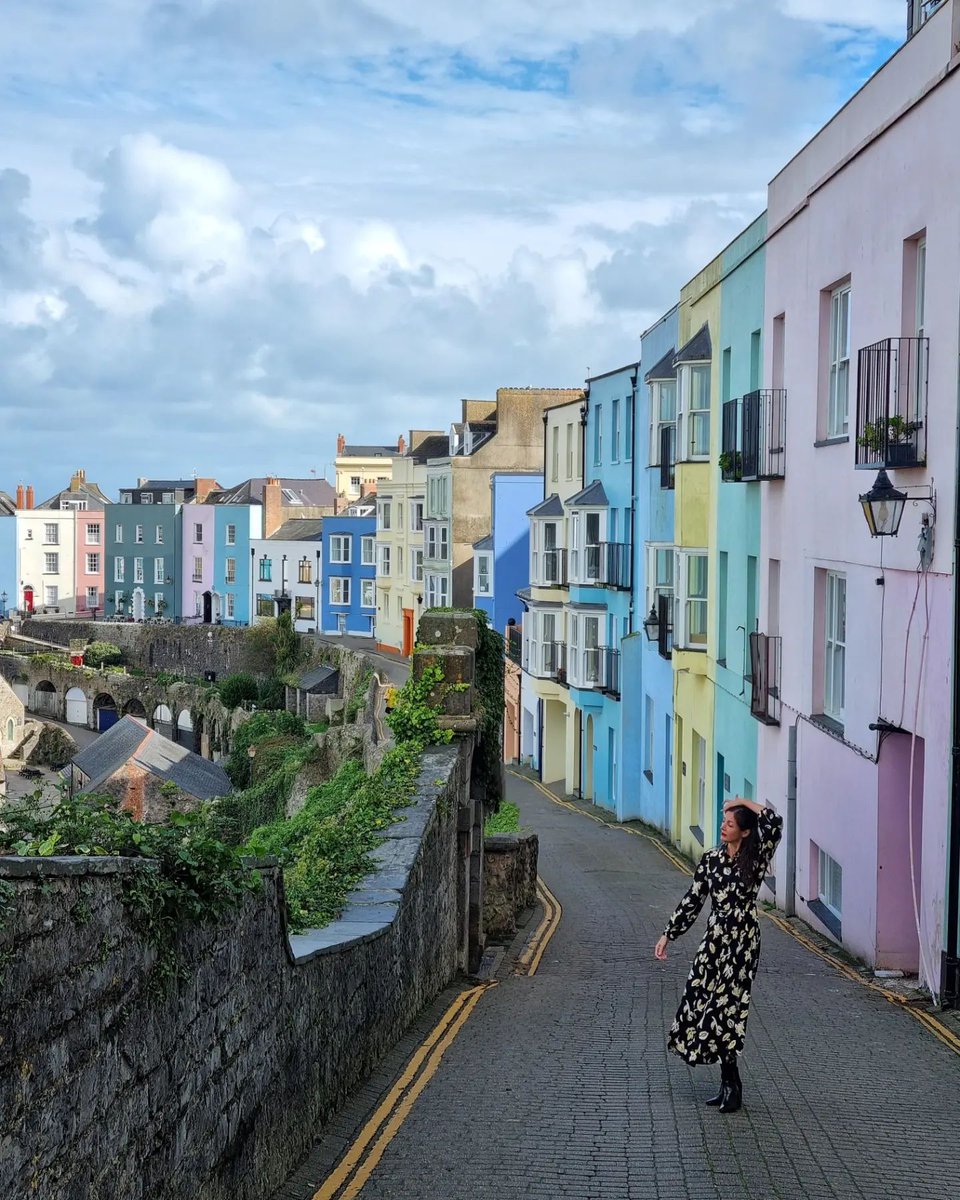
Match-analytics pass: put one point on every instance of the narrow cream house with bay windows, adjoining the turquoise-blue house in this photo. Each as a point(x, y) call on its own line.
point(548, 711)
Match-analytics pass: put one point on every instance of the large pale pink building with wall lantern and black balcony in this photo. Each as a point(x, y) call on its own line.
point(862, 313)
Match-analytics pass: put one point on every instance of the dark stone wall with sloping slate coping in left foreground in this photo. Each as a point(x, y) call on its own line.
point(218, 1090)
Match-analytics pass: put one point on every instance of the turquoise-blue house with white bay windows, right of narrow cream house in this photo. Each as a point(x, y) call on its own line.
point(599, 614)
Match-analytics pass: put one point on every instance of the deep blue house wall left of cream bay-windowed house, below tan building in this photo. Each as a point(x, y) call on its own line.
point(502, 560)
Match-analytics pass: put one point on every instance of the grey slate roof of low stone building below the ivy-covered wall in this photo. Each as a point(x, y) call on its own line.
point(129, 740)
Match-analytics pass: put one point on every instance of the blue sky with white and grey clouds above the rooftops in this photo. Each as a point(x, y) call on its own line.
point(231, 230)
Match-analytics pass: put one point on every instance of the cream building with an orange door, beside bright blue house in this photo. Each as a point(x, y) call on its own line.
point(400, 543)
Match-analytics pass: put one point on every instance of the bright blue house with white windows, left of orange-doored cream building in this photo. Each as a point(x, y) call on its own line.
point(349, 596)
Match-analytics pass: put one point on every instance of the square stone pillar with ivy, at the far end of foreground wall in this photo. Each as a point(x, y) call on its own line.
point(449, 640)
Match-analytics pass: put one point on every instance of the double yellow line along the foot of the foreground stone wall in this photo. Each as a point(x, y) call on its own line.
point(358, 1165)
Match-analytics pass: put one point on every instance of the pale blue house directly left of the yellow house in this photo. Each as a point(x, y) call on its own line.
point(647, 671)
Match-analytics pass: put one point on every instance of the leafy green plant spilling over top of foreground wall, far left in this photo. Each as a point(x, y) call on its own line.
point(193, 877)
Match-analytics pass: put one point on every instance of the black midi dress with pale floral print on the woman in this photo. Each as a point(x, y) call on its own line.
point(711, 1023)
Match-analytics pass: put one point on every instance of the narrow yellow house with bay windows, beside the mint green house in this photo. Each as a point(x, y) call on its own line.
point(698, 443)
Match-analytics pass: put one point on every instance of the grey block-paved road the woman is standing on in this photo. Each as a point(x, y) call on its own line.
point(561, 1085)
